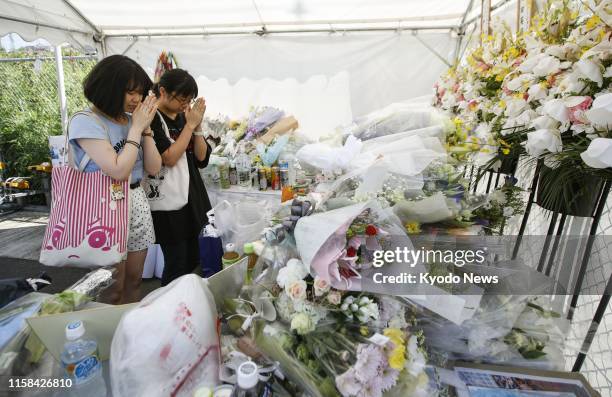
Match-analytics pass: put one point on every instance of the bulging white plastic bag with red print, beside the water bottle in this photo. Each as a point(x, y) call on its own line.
point(168, 344)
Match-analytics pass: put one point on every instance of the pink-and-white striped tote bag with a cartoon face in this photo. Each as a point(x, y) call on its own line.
point(88, 225)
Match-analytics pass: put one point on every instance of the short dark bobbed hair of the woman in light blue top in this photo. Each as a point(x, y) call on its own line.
point(105, 86)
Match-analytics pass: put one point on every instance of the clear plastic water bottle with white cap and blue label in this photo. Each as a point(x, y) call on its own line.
point(81, 362)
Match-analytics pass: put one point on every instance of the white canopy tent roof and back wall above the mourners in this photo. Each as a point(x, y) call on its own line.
point(325, 61)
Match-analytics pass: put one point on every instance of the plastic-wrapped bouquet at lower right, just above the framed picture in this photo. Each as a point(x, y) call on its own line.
point(511, 330)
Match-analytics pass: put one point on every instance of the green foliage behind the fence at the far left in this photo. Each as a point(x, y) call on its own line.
point(29, 106)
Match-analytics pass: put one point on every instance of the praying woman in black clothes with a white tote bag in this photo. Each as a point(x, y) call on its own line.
point(177, 231)
